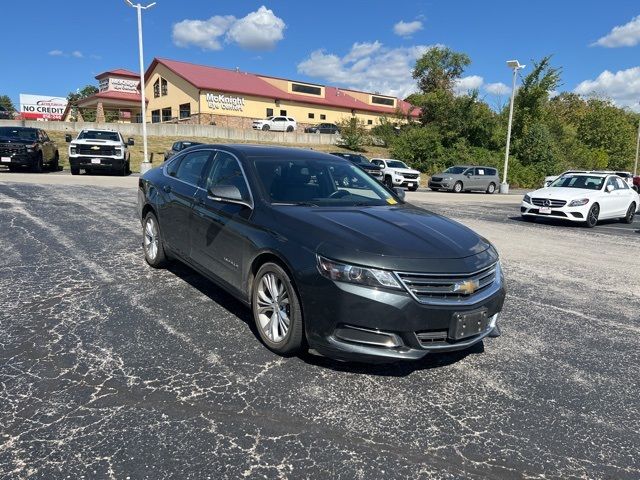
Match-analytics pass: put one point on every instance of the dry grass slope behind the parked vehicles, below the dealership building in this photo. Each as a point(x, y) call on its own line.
point(158, 145)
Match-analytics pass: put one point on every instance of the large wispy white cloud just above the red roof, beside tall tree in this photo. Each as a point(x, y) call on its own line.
point(367, 66)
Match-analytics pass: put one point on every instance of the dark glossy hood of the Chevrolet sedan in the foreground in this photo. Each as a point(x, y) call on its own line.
point(401, 237)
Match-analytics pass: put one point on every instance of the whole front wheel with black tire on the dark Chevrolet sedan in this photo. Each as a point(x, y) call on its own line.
point(274, 299)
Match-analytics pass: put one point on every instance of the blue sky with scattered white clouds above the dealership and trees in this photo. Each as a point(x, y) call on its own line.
point(52, 48)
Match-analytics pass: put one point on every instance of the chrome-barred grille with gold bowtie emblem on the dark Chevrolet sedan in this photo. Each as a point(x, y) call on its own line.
point(440, 289)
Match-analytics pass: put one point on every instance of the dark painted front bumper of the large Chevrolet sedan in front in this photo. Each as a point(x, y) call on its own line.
point(352, 322)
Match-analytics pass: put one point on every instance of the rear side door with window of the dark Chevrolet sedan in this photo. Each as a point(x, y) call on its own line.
point(182, 180)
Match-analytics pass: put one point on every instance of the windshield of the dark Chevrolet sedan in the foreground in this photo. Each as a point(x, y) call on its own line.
point(318, 182)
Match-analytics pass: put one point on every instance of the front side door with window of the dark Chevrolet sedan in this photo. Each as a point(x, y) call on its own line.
point(219, 226)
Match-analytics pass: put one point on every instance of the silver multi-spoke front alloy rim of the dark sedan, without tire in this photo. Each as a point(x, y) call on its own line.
point(273, 307)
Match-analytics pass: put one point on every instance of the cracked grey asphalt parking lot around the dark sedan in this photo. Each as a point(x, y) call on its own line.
point(110, 369)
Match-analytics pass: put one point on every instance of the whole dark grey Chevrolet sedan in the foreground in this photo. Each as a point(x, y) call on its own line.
point(349, 273)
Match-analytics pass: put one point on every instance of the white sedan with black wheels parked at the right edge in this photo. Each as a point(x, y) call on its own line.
point(583, 197)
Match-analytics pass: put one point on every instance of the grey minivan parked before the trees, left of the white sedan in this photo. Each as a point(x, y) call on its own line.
point(465, 179)
